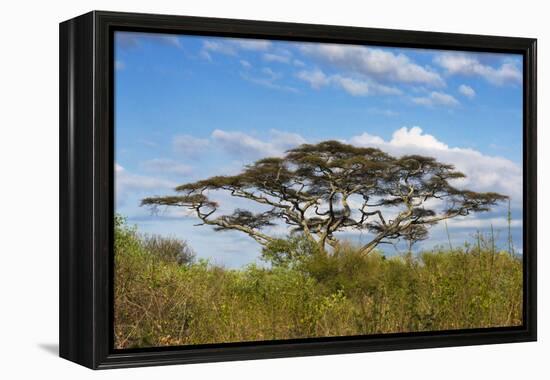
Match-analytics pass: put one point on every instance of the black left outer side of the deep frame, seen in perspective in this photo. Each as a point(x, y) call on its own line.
point(76, 306)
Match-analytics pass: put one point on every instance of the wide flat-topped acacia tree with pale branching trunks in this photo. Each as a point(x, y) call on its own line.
point(320, 189)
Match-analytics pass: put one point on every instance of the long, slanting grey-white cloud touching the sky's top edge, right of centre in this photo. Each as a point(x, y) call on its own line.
point(374, 63)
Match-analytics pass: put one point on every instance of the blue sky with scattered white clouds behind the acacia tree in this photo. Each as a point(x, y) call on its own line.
point(189, 107)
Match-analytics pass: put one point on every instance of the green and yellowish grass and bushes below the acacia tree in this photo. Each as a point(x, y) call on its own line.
point(160, 300)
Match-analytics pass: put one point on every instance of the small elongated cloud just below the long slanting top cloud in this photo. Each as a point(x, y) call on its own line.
point(353, 86)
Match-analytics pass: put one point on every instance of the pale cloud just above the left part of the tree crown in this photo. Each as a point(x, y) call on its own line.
point(245, 146)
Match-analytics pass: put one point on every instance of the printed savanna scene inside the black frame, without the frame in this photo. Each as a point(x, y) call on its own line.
point(274, 190)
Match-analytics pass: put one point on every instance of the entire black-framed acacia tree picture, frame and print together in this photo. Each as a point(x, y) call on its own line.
point(237, 189)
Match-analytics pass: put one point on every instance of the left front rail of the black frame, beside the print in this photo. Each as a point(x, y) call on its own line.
point(104, 191)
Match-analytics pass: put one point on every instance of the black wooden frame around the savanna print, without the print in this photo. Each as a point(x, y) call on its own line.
point(86, 189)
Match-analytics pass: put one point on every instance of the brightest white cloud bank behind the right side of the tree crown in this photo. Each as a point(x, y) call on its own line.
point(483, 172)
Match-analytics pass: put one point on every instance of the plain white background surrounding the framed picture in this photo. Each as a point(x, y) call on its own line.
point(29, 187)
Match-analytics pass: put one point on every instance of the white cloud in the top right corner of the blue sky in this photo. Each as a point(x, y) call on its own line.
point(469, 65)
